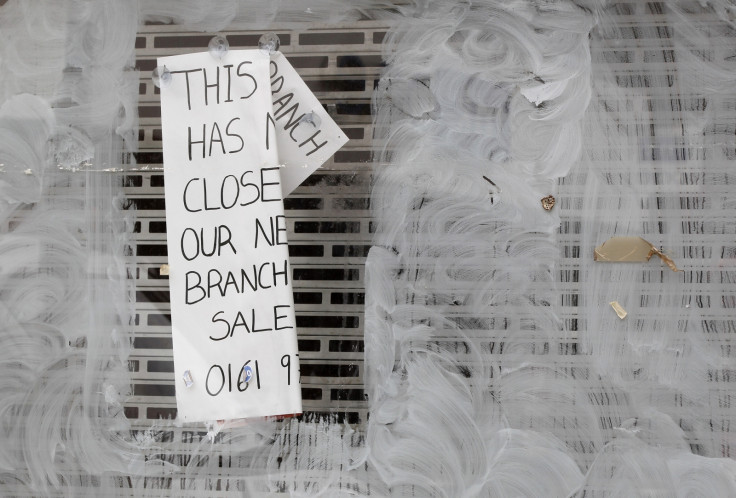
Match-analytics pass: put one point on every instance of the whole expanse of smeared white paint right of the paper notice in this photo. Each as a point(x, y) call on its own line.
point(457, 272)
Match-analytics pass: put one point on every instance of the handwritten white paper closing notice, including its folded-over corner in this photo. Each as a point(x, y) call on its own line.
point(239, 133)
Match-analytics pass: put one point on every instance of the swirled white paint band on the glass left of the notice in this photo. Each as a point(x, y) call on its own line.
point(64, 305)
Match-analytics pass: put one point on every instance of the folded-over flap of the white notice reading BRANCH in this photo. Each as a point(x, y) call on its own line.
point(306, 135)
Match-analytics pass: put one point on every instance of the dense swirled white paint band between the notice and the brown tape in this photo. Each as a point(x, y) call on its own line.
point(461, 296)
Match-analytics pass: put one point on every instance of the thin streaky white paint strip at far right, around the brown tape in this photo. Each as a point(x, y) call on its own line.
point(665, 360)
